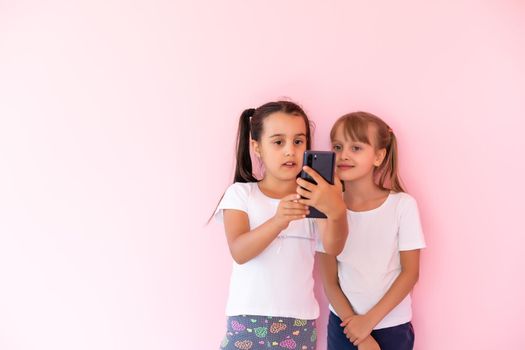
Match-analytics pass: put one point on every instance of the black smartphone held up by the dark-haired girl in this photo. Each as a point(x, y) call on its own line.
point(323, 162)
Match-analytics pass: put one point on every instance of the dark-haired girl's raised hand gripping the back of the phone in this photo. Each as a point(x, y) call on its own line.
point(324, 197)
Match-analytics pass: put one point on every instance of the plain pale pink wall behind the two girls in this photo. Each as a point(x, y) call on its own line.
point(117, 128)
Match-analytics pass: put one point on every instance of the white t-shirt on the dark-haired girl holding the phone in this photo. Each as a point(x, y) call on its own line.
point(278, 282)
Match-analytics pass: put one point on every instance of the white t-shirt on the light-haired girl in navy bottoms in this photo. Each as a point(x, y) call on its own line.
point(370, 260)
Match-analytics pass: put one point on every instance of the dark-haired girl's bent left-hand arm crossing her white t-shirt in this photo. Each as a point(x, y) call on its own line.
point(245, 244)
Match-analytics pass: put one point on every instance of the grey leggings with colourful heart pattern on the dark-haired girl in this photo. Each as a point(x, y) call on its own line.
point(264, 332)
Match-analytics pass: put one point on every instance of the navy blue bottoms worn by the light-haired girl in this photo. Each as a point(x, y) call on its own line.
point(392, 338)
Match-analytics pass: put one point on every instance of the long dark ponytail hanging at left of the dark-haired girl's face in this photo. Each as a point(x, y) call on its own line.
point(243, 167)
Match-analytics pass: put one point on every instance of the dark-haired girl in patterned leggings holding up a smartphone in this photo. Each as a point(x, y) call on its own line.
point(271, 301)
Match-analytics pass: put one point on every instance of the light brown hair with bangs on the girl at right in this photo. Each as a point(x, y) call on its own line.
point(356, 127)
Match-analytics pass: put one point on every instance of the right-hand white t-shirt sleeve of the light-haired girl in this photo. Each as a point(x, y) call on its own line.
point(410, 230)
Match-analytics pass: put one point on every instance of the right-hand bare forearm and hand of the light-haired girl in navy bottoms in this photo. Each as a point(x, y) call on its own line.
point(359, 327)
